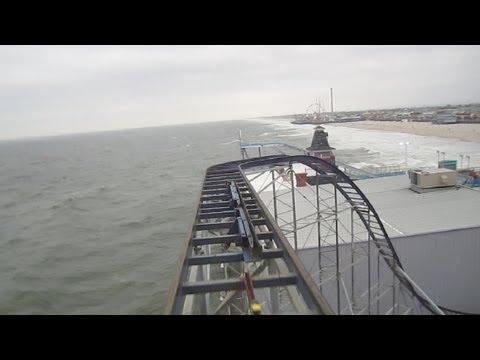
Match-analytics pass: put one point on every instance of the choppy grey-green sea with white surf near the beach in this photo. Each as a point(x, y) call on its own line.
point(93, 223)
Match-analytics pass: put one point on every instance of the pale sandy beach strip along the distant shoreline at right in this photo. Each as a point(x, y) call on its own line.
point(467, 132)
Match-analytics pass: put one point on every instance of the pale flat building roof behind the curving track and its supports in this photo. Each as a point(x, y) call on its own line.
point(402, 211)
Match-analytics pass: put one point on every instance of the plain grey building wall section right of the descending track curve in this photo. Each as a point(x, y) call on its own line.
point(446, 265)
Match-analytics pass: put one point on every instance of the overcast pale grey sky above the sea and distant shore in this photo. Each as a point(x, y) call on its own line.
point(49, 90)
